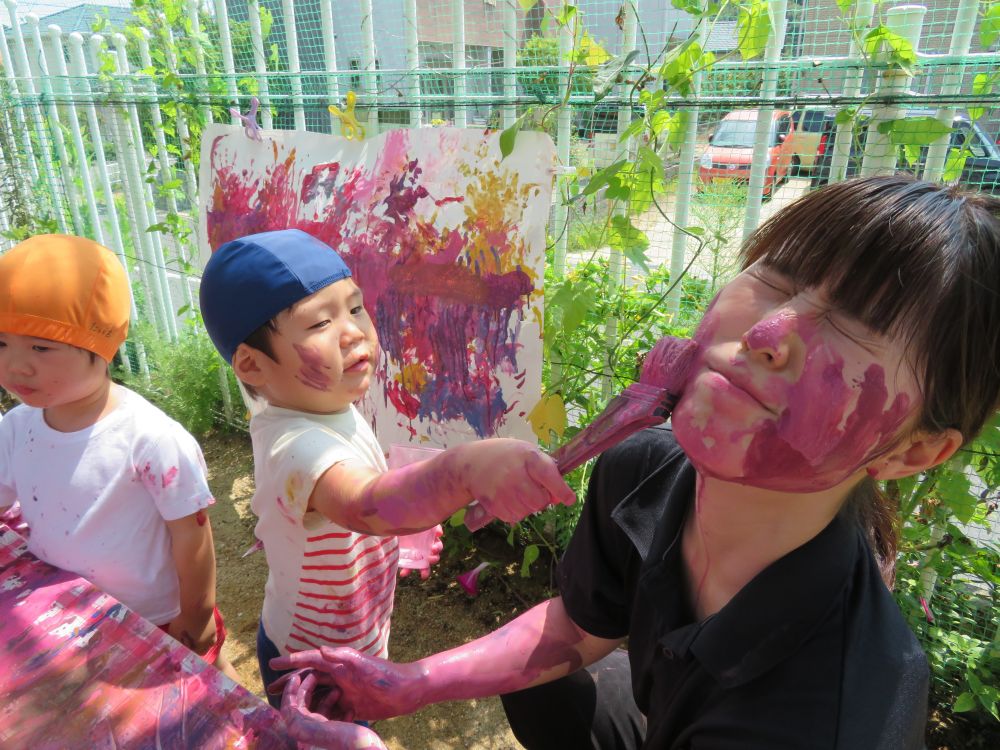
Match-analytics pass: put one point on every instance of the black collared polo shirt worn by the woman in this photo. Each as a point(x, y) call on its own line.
point(812, 653)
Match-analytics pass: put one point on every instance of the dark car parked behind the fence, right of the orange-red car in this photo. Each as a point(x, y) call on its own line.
point(981, 169)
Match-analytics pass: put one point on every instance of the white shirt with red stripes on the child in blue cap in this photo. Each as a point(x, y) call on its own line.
point(326, 585)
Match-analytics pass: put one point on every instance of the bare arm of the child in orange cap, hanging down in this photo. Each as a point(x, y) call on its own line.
point(194, 558)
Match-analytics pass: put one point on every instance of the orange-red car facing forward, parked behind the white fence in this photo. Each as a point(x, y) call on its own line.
point(730, 149)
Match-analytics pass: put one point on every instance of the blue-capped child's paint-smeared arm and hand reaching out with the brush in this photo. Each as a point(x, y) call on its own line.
point(511, 479)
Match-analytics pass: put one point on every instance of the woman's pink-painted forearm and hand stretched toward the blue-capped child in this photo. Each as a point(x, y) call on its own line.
point(541, 645)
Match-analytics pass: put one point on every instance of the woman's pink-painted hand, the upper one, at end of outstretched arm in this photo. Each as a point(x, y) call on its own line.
point(346, 685)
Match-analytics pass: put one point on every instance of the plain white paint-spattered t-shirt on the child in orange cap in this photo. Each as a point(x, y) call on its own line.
point(97, 500)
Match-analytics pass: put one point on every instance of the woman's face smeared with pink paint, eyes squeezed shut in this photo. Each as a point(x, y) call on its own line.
point(788, 393)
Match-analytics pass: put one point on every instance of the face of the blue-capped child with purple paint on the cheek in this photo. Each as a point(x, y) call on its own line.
point(326, 350)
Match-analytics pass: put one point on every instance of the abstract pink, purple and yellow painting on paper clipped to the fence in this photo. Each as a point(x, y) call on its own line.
point(445, 237)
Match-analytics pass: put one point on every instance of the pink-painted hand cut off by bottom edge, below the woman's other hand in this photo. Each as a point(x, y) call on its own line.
point(314, 729)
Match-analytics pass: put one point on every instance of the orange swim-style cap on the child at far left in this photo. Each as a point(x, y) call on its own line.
point(67, 289)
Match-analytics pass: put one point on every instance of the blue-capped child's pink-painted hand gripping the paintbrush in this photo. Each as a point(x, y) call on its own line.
point(511, 479)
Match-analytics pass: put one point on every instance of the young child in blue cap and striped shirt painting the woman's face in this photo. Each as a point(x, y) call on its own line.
point(282, 308)
